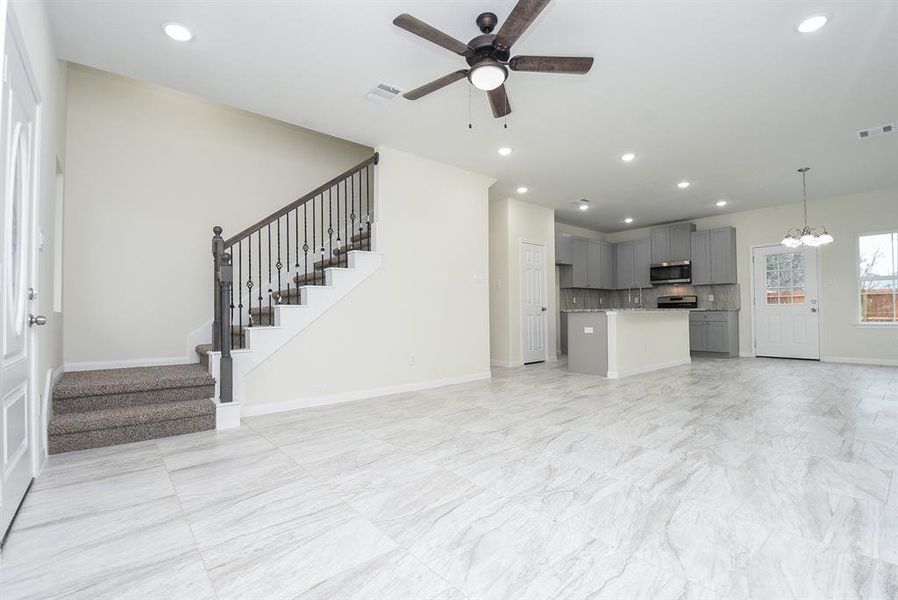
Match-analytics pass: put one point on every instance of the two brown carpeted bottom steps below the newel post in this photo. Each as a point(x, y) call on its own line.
point(118, 406)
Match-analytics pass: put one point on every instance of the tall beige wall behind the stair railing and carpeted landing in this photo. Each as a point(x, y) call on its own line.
point(150, 171)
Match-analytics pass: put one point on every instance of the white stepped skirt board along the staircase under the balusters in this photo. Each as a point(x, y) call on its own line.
point(290, 319)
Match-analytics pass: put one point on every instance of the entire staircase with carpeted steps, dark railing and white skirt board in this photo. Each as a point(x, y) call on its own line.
point(271, 280)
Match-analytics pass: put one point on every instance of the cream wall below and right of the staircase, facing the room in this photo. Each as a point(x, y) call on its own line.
point(422, 319)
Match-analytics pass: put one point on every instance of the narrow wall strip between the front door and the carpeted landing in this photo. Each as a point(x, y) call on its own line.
point(49, 76)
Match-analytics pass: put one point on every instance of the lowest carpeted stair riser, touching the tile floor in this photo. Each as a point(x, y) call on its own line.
point(129, 434)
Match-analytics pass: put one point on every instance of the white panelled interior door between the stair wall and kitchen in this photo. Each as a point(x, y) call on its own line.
point(534, 310)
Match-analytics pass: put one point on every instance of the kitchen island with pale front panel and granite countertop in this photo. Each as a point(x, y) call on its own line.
point(618, 343)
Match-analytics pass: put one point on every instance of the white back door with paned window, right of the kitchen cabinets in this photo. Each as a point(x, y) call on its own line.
point(786, 302)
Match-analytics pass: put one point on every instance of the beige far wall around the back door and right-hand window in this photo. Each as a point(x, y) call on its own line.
point(842, 339)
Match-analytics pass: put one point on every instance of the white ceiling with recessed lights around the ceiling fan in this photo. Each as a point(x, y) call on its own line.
point(725, 94)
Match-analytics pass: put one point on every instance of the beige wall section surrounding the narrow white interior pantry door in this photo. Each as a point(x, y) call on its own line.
point(511, 222)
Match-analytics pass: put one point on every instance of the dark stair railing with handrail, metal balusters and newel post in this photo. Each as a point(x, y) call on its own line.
point(224, 254)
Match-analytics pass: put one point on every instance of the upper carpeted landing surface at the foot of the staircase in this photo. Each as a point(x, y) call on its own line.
point(136, 379)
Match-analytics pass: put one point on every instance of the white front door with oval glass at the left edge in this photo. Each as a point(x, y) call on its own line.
point(17, 134)
